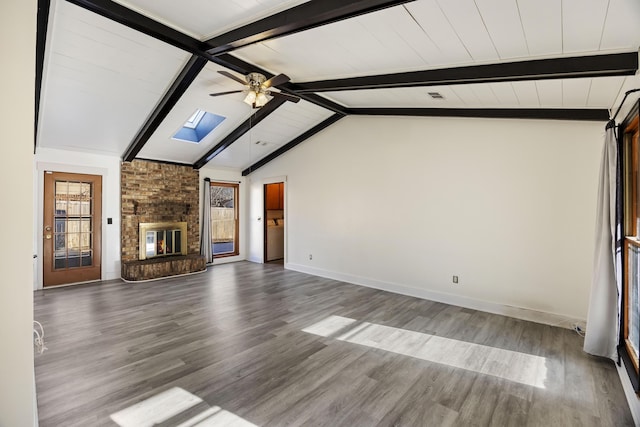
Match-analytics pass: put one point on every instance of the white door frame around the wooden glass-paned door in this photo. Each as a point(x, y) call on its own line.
point(38, 243)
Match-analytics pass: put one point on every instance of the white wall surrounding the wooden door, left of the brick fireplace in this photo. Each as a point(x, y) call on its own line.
point(77, 162)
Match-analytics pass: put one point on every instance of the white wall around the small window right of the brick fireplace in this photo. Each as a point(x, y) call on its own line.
point(220, 174)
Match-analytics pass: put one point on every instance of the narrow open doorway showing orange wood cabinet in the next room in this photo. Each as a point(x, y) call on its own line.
point(274, 223)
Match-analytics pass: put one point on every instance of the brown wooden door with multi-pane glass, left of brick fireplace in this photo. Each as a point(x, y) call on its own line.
point(72, 228)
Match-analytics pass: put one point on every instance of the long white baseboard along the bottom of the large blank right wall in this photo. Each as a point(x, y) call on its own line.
point(552, 319)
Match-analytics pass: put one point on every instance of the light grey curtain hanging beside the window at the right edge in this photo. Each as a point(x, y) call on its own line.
point(603, 320)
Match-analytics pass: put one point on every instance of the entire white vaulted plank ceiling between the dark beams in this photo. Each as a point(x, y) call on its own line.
point(102, 80)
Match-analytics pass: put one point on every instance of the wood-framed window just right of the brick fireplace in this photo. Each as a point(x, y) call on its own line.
point(224, 219)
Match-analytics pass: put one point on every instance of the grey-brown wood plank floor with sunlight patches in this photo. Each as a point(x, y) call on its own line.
point(251, 344)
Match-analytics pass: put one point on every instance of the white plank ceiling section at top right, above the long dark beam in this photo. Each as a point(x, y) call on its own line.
point(439, 34)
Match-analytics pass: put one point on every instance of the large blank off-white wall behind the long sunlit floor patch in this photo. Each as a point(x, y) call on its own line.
point(405, 203)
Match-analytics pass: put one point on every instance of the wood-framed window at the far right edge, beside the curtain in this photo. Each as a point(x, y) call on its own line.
point(629, 347)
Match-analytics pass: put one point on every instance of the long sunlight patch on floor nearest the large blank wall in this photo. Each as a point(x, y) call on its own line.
point(510, 365)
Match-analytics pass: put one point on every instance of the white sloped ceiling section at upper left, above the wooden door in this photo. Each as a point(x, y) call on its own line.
point(101, 81)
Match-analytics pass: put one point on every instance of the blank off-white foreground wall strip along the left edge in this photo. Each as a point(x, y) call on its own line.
point(17, 386)
